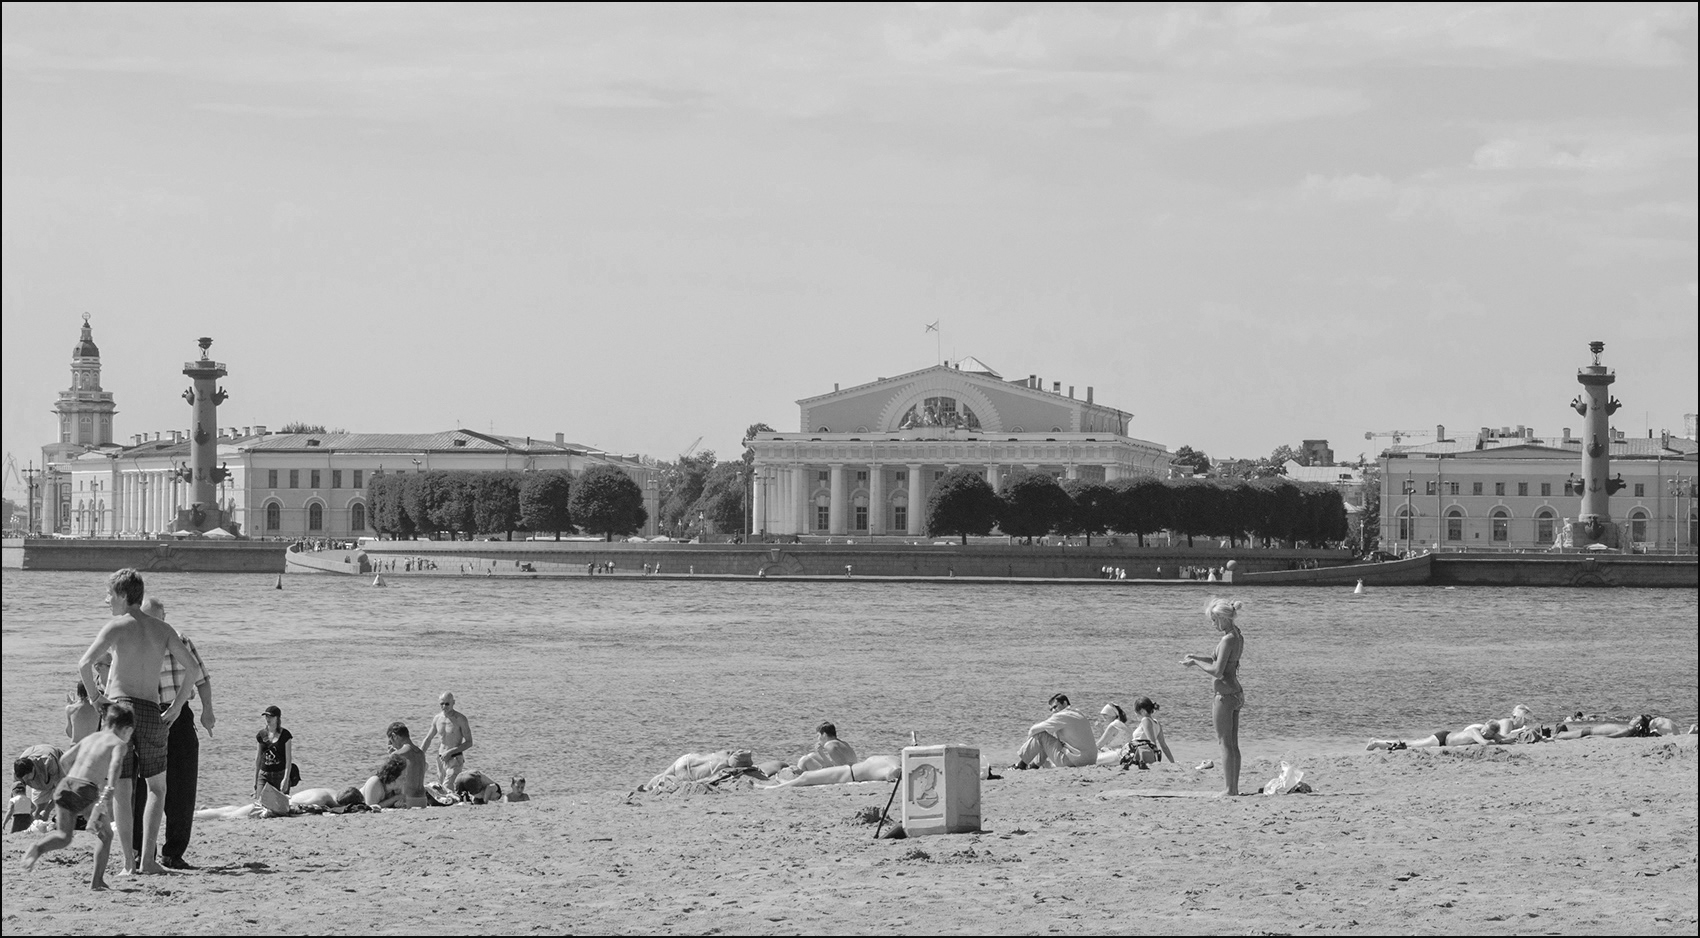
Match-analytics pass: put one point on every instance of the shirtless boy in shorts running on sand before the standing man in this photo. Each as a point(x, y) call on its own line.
point(98, 757)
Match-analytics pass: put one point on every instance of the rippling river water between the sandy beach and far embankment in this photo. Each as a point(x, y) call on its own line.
point(596, 684)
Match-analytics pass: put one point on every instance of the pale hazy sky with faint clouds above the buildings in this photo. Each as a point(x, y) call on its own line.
point(1247, 225)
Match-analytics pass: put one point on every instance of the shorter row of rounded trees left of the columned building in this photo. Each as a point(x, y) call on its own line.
point(601, 500)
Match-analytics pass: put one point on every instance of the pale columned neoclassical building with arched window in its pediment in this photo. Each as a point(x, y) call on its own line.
point(866, 458)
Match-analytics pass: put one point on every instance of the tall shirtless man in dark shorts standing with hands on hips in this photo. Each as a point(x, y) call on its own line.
point(139, 645)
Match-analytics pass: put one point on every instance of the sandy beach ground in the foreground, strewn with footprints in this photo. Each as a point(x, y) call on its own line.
point(1582, 837)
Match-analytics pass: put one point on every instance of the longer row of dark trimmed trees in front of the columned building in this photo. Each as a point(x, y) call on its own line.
point(1034, 504)
